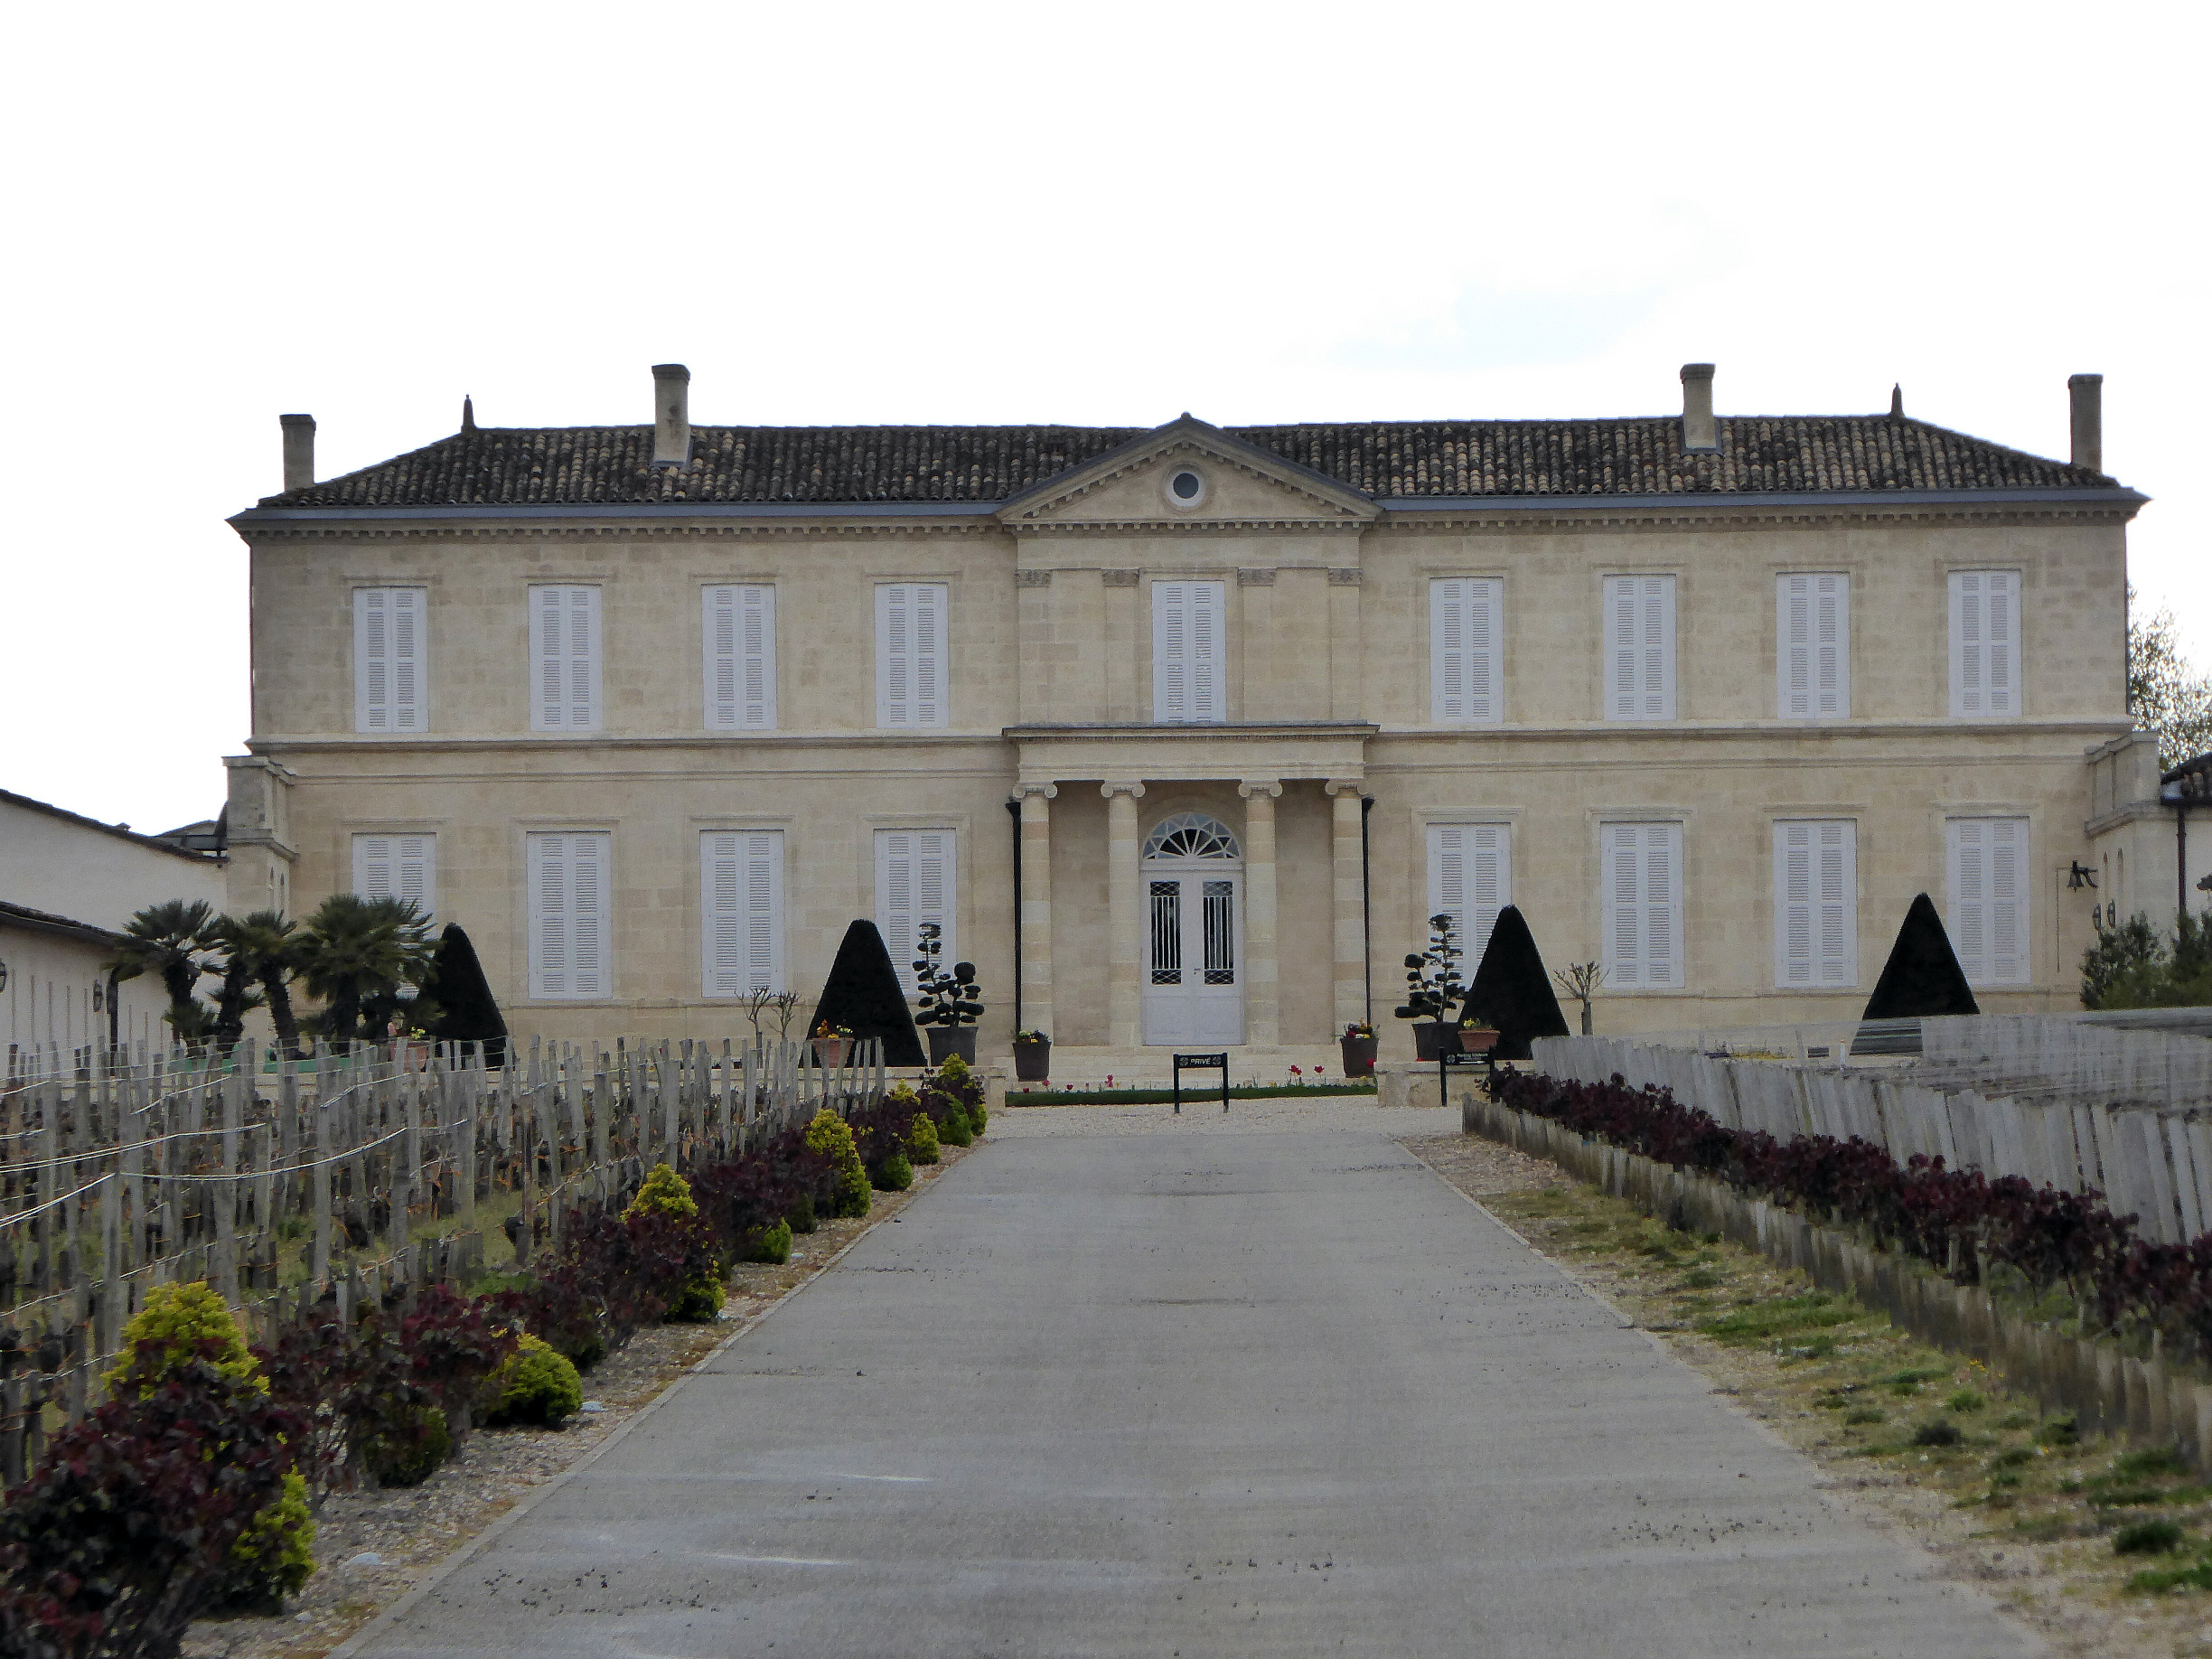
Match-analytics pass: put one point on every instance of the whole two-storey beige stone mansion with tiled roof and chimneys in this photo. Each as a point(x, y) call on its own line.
point(1185, 733)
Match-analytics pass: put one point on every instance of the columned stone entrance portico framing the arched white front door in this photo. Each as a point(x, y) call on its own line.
point(1200, 893)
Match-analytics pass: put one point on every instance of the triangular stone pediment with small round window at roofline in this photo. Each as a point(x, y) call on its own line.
point(1149, 483)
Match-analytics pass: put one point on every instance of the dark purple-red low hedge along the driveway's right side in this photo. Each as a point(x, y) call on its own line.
point(1957, 1220)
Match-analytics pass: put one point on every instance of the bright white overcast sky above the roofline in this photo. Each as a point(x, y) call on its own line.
point(1030, 213)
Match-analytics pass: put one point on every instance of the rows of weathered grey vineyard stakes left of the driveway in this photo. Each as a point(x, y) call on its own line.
point(309, 1180)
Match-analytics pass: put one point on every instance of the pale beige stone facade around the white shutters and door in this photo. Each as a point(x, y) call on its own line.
point(1324, 760)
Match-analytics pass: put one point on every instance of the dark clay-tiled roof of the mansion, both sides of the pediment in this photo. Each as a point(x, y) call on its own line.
point(1390, 461)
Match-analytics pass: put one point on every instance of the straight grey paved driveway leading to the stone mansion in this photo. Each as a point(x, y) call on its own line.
point(1196, 1395)
